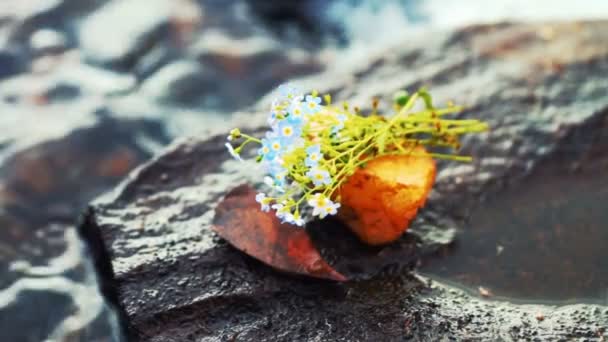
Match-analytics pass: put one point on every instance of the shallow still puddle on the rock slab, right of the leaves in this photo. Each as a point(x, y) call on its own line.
point(542, 240)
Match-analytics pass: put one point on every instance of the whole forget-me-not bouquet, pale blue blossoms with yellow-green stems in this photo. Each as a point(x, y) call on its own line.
point(312, 148)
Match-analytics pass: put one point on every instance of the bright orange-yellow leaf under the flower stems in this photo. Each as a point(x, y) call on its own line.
point(380, 200)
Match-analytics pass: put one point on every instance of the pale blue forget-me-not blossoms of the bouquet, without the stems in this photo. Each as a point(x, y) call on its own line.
point(294, 164)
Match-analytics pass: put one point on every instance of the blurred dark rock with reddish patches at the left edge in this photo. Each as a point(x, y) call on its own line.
point(37, 193)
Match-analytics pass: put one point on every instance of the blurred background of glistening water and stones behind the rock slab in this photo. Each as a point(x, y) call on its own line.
point(89, 89)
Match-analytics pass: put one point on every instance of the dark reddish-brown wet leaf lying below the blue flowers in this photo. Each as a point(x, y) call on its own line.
point(239, 220)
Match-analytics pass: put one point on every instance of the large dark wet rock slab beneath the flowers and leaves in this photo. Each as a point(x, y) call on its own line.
point(174, 280)
